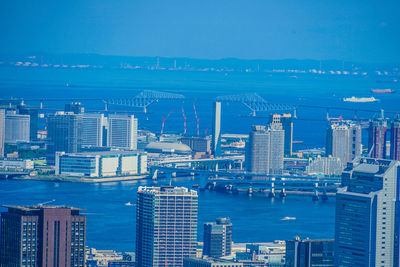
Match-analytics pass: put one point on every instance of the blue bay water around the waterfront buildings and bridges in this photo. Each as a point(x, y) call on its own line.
point(111, 224)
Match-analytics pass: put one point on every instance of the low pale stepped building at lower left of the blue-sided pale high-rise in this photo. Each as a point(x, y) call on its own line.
point(325, 165)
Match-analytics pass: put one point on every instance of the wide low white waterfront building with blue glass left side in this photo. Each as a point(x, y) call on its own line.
point(101, 164)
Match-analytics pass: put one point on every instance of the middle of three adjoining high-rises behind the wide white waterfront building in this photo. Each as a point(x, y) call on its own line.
point(92, 129)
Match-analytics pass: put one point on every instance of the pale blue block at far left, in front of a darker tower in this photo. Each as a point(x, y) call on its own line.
point(17, 128)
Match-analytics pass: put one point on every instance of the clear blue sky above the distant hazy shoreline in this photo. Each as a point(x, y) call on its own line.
point(350, 30)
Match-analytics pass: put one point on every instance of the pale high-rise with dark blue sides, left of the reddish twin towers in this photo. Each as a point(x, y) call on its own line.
point(343, 140)
